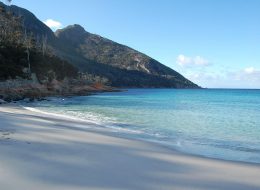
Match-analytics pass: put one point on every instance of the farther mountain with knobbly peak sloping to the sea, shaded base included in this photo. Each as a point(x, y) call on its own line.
point(124, 66)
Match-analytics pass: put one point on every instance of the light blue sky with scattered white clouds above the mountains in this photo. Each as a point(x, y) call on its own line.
point(213, 43)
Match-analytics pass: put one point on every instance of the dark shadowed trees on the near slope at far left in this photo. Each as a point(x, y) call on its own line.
point(21, 54)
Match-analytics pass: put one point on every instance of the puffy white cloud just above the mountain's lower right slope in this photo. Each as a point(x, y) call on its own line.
point(183, 60)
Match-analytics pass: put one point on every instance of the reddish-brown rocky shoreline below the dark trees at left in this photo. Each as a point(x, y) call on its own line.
point(15, 90)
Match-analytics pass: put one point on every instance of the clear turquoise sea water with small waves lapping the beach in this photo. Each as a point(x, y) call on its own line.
point(214, 123)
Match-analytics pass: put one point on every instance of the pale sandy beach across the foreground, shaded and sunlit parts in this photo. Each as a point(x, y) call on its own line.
point(42, 152)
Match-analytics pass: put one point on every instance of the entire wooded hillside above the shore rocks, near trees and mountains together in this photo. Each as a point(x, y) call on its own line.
point(41, 51)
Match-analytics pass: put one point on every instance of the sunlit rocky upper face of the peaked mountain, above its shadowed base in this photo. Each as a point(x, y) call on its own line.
point(105, 51)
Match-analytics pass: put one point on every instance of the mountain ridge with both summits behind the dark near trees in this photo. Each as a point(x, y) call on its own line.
point(95, 55)
